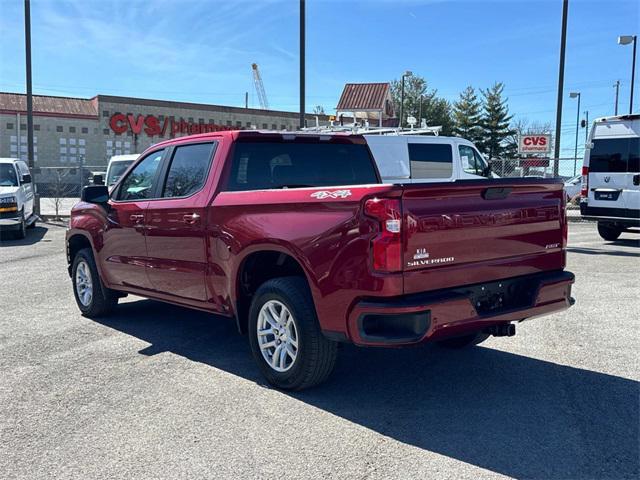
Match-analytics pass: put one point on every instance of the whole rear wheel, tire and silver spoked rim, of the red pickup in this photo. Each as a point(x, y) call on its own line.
point(285, 336)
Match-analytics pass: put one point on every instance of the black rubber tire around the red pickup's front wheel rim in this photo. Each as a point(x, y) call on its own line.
point(103, 300)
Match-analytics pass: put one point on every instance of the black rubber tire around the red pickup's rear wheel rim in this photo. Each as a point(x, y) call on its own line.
point(316, 355)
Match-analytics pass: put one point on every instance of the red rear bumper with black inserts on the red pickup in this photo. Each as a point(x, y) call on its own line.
point(450, 312)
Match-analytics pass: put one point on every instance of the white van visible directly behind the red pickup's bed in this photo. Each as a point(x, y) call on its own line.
point(423, 159)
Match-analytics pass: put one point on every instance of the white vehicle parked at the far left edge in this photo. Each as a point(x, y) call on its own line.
point(16, 197)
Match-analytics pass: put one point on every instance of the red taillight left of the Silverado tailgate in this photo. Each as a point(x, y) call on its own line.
point(386, 247)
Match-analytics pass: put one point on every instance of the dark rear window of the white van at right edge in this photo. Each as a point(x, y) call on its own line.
point(615, 155)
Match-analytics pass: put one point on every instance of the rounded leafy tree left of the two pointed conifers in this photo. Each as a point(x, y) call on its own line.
point(435, 110)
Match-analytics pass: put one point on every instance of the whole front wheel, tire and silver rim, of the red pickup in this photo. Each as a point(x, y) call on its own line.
point(92, 297)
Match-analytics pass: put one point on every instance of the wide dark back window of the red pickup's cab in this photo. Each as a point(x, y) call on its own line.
point(274, 165)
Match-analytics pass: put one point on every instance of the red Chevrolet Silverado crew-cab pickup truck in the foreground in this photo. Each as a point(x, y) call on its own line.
point(296, 238)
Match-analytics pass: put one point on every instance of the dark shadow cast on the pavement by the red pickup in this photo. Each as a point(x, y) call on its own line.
point(507, 413)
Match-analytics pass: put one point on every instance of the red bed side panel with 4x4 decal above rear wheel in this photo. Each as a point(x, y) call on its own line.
point(327, 236)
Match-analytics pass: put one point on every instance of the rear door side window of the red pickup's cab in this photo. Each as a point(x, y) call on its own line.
point(188, 169)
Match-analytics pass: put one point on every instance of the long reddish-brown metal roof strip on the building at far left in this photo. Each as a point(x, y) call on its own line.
point(42, 104)
